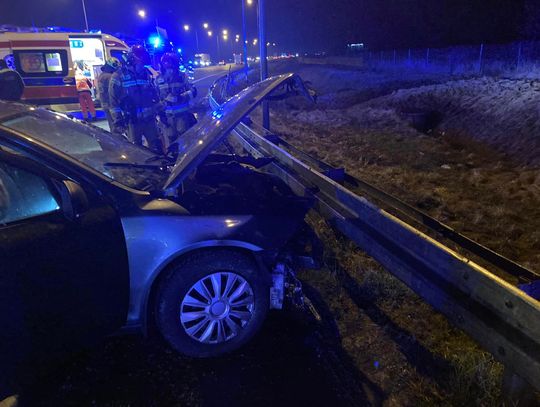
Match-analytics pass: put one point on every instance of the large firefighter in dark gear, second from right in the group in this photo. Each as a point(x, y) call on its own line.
point(134, 101)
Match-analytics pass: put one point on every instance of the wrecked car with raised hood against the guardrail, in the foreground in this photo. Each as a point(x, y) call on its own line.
point(97, 234)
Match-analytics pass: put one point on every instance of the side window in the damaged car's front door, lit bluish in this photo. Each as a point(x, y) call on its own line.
point(23, 195)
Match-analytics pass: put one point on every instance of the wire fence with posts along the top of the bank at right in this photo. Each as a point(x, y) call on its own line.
point(480, 59)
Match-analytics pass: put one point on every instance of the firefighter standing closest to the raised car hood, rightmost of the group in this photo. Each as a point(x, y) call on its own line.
point(175, 93)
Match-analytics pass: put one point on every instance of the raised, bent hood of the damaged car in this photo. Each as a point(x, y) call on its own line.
point(197, 143)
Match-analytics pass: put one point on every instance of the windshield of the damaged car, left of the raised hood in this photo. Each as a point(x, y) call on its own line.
point(111, 155)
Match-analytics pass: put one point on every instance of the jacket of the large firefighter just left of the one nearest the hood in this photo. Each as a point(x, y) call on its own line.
point(132, 96)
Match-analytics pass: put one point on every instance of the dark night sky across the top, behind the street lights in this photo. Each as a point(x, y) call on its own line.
point(296, 25)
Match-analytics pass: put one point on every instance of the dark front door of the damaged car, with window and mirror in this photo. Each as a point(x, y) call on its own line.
point(64, 278)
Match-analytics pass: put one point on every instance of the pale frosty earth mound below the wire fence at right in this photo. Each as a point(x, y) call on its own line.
point(503, 113)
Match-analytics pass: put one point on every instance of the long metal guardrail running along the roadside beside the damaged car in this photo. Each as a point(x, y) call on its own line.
point(500, 317)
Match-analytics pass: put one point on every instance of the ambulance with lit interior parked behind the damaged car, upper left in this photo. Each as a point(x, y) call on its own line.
point(46, 60)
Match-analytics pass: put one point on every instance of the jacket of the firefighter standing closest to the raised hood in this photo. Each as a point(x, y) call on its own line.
point(174, 93)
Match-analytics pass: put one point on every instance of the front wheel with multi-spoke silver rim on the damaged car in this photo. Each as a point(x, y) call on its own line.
point(197, 273)
